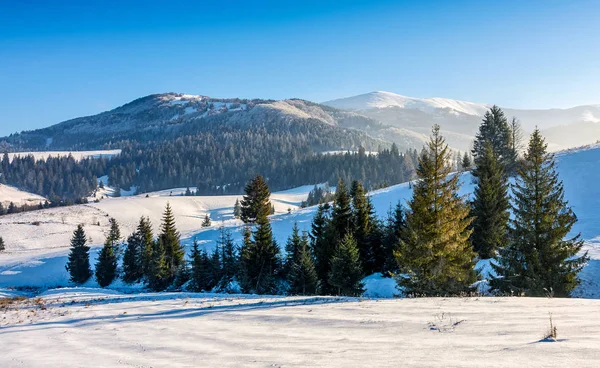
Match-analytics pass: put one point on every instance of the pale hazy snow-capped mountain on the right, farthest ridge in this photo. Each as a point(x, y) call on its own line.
point(459, 120)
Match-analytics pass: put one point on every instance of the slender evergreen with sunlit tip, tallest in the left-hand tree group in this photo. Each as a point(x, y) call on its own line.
point(173, 251)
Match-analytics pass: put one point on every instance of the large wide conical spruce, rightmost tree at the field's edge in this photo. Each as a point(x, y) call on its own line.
point(539, 259)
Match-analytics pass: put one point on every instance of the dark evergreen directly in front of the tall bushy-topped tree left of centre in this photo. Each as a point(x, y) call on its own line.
point(260, 259)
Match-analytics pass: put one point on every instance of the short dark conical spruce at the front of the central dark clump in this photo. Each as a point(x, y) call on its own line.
point(346, 273)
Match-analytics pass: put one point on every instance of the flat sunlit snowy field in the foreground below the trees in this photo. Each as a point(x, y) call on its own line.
point(72, 328)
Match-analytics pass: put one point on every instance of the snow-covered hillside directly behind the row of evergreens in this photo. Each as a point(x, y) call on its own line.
point(37, 242)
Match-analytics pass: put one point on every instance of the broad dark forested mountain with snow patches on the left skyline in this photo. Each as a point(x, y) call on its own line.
point(171, 115)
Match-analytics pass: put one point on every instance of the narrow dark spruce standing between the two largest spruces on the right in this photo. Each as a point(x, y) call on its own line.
point(490, 206)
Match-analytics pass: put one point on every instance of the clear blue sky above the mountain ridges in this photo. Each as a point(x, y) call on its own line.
point(64, 59)
